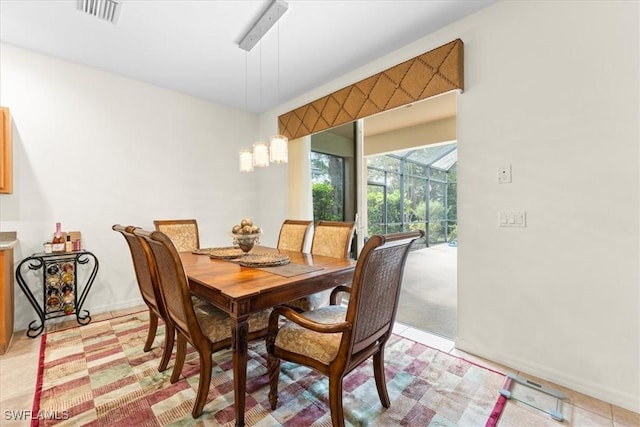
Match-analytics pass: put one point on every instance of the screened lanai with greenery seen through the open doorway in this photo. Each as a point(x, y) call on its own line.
point(414, 189)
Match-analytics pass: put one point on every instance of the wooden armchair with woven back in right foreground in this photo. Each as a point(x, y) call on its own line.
point(336, 339)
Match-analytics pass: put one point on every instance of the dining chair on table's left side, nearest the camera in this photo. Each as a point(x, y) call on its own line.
point(197, 322)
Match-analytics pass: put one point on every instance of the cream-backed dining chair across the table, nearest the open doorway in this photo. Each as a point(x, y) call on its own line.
point(333, 239)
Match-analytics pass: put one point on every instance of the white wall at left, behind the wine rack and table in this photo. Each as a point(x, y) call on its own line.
point(92, 149)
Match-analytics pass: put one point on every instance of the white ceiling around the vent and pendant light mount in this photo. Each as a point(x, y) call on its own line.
point(191, 46)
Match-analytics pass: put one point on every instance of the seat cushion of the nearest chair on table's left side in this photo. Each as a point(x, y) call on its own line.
point(216, 324)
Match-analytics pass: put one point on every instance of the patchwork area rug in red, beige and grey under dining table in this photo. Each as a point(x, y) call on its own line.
point(98, 375)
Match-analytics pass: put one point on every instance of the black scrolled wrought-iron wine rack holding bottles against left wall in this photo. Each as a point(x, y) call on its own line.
point(63, 288)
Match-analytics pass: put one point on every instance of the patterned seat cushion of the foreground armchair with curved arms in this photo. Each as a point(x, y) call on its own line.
point(323, 347)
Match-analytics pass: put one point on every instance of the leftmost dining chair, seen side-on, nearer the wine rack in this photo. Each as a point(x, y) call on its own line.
point(150, 292)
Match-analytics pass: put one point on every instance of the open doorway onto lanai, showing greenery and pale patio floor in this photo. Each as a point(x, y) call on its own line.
point(417, 189)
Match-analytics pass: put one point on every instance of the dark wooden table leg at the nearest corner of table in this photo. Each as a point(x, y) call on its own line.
point(240, 328)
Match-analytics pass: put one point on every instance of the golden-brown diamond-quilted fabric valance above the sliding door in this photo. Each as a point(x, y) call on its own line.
point(438, 71)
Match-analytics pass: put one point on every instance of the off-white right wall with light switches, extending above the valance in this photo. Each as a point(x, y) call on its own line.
point(551, 88)
